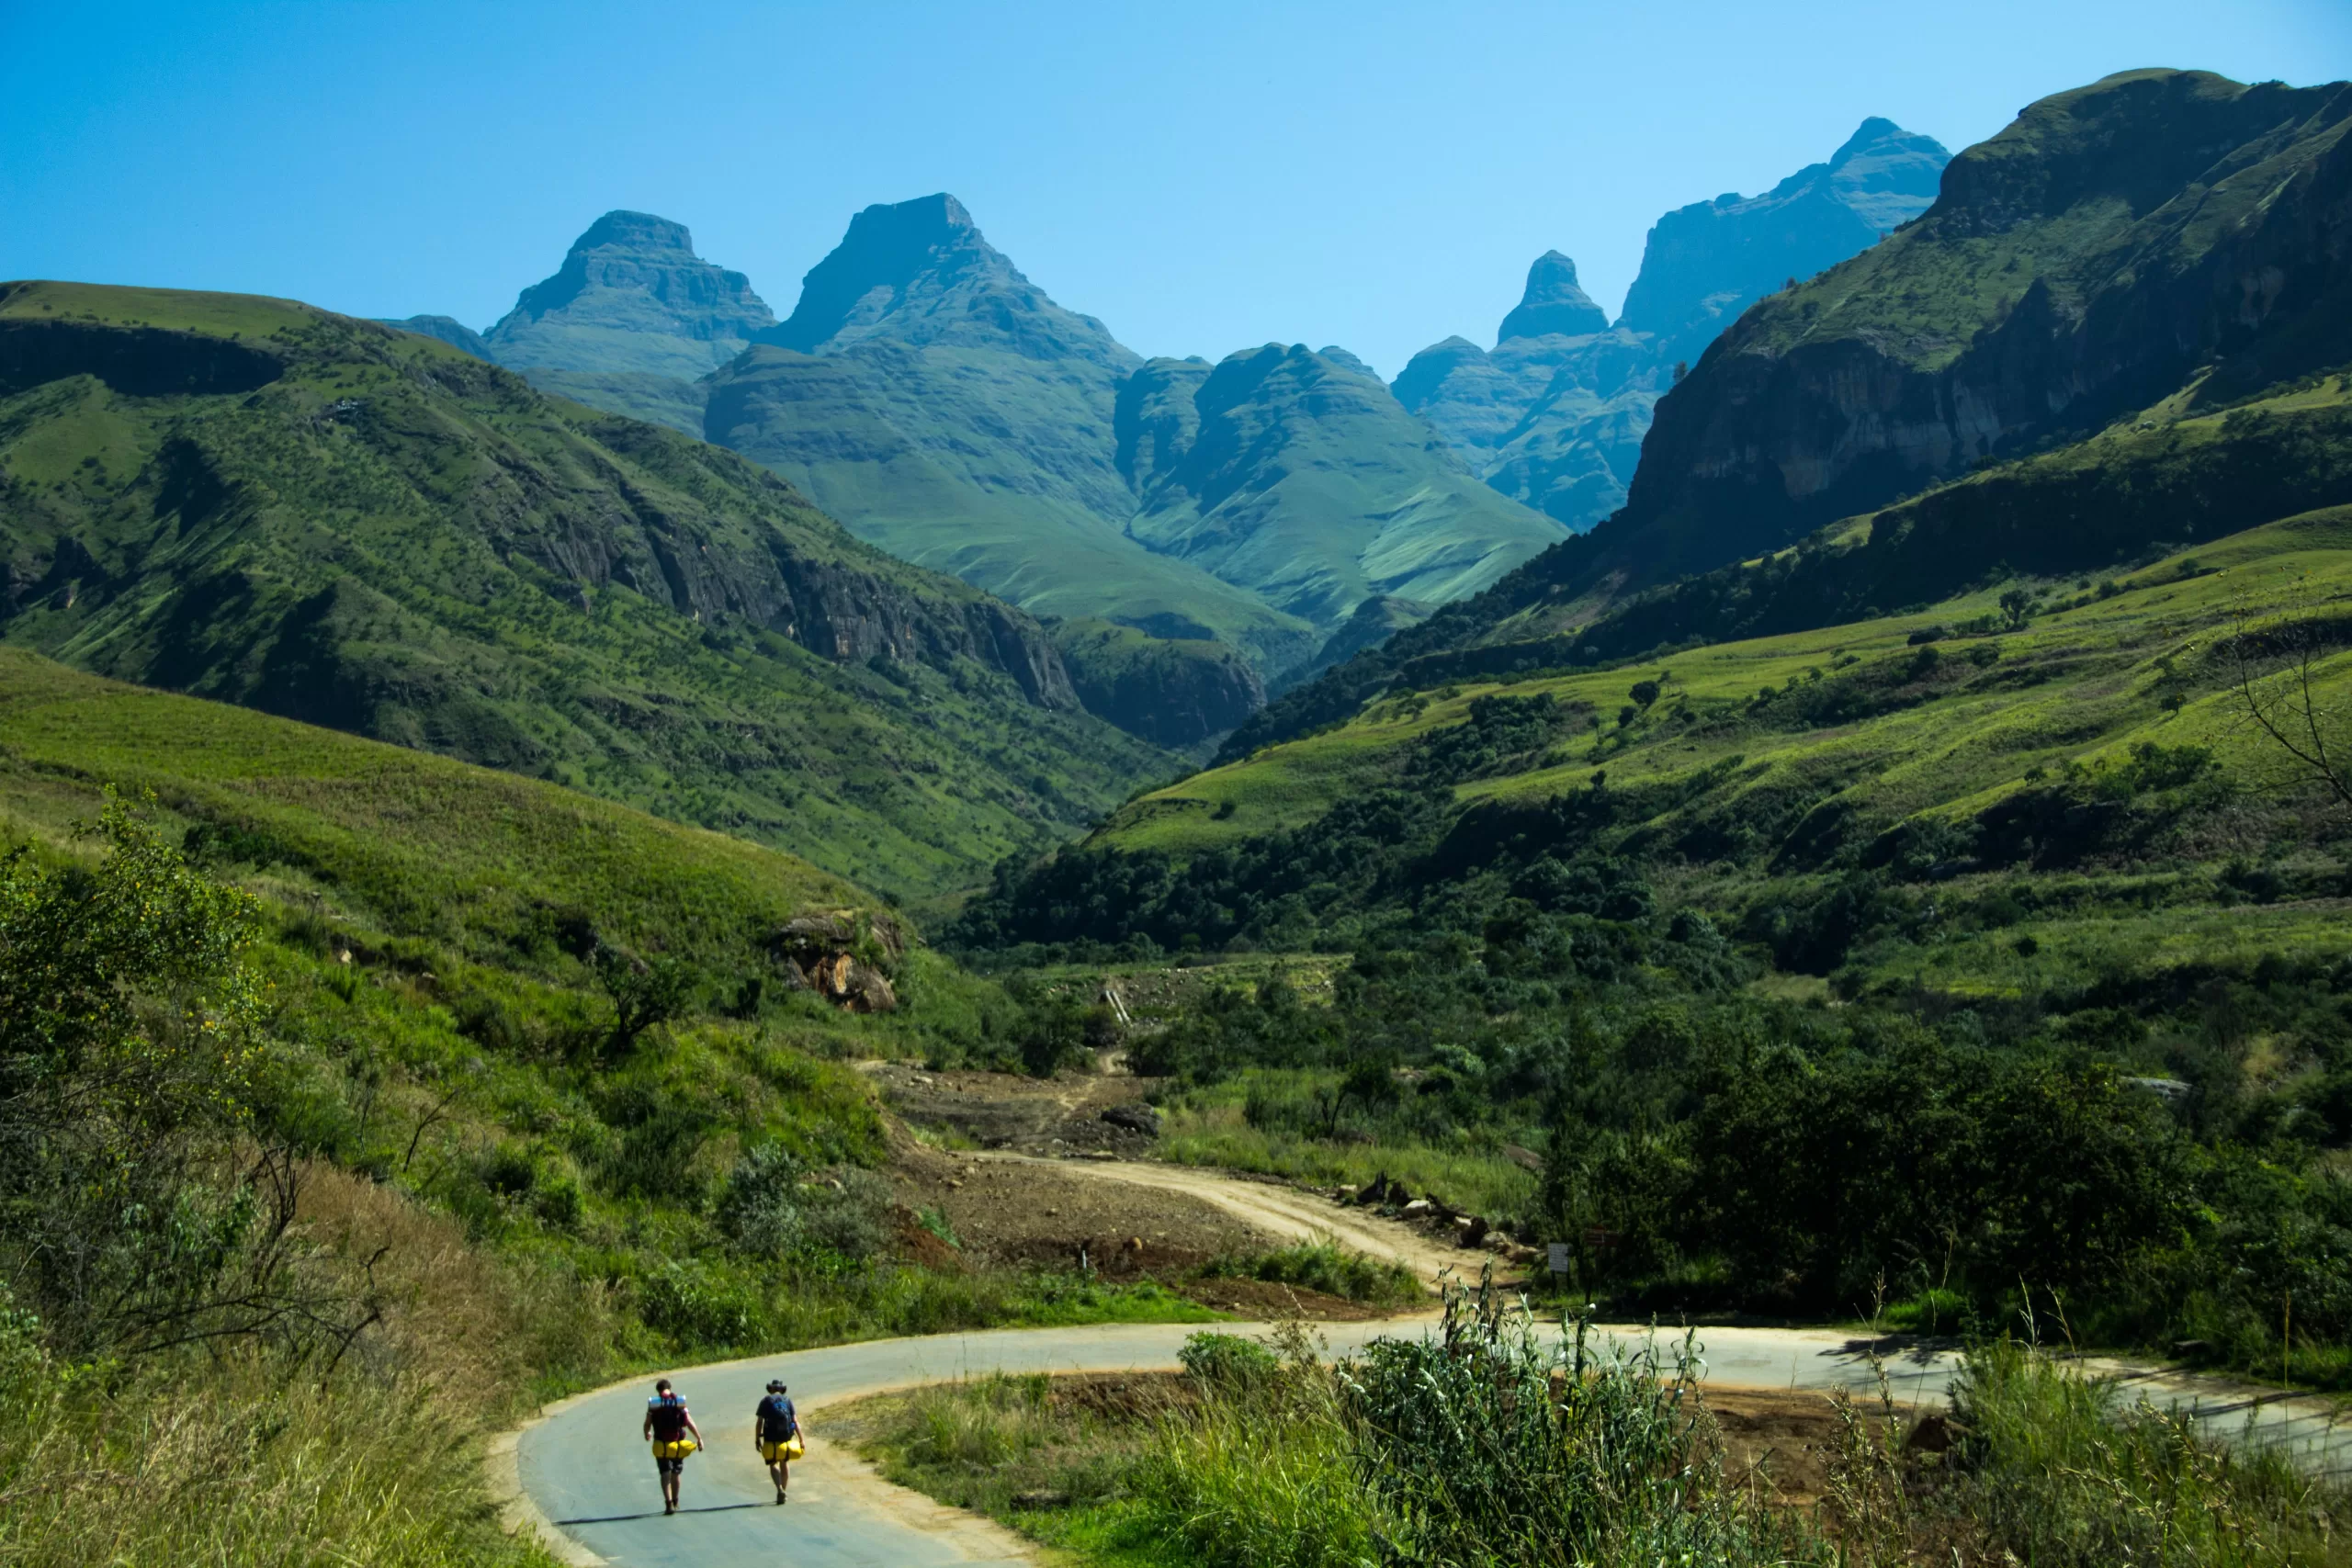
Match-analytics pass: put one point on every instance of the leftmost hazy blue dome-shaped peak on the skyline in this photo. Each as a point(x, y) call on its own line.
point(632, 297)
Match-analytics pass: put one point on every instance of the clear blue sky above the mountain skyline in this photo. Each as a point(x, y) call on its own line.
point(1201, 177)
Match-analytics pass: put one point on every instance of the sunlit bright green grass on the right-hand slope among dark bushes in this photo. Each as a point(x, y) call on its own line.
point(2071, 695)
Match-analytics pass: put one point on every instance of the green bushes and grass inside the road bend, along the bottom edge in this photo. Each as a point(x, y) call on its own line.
point(1504, 1442)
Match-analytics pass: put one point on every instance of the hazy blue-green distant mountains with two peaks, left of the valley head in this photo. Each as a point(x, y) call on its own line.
point(944, 408)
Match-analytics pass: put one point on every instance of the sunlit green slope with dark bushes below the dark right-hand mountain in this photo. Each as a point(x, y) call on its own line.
point(1899, 800)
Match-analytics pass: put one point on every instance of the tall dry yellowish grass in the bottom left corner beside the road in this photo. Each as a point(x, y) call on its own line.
point(246, 1459)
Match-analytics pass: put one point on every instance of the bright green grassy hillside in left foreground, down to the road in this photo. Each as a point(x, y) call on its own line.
point(521, 1068)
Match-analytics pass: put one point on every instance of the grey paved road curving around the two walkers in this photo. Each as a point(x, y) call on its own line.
point(587, 1473)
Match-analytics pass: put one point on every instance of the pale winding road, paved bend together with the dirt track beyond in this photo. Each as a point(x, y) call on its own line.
point(584, 1482)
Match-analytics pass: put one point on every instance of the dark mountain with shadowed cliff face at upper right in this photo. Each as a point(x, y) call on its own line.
point(2111, 248)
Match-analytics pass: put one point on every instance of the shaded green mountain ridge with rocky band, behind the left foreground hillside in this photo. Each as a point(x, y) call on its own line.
point(330, 521)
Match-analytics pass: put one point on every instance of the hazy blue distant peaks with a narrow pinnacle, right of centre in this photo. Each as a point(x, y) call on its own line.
point(1558, 410)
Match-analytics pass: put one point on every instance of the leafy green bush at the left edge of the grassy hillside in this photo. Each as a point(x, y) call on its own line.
point(126, 1061)
